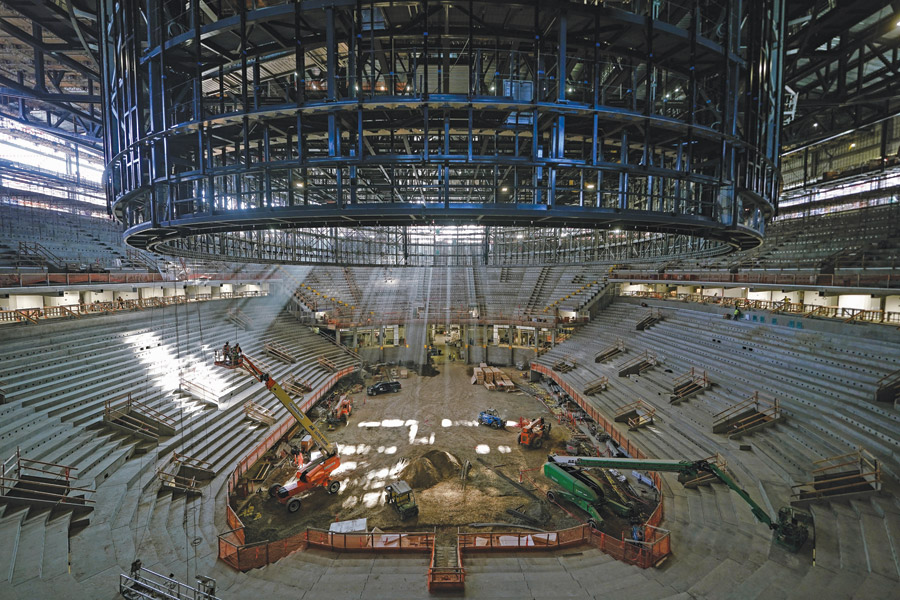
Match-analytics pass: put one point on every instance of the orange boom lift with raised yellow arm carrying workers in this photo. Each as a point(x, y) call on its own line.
point(310, 475)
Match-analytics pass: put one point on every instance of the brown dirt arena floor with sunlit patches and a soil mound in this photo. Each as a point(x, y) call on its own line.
point(424, 435)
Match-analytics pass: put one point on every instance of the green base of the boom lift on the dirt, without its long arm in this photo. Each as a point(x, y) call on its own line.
point(584, 491)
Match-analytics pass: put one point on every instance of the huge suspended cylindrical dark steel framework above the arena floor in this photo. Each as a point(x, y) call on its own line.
point(229, 124)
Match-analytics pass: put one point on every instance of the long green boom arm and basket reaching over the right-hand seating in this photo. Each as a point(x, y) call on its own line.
point(790, 527)
